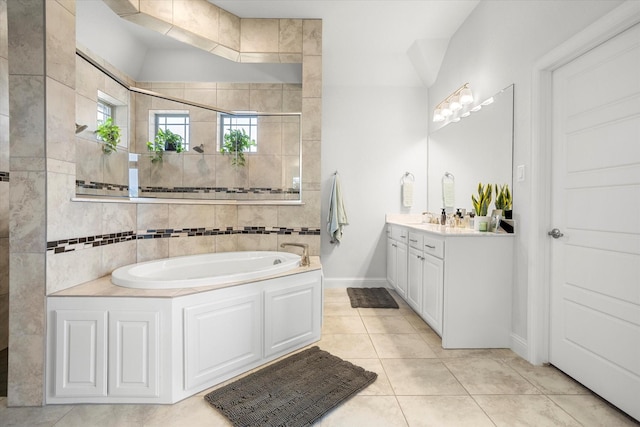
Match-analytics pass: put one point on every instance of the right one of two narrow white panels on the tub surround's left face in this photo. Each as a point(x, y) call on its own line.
point(133, 354)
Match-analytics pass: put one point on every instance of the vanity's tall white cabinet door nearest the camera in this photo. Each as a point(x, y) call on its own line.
point(432, 297)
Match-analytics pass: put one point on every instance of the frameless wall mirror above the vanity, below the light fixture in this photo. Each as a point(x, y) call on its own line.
point(478, 148)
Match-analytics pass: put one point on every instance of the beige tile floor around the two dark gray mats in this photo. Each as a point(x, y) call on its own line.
point(419, 384)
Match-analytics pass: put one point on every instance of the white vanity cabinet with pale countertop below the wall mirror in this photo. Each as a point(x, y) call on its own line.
point(458, 280)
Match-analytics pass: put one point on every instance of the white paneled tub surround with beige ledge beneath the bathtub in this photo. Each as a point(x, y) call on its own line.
point(109, 344)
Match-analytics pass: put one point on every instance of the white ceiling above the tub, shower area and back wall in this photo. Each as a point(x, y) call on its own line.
point(373, 43)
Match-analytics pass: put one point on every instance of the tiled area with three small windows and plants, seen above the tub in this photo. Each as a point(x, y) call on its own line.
point(272, 170)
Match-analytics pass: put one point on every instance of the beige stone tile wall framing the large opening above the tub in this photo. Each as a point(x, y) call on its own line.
point(47, 230)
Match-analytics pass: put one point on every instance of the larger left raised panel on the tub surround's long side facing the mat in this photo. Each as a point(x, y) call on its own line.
point(220, 337)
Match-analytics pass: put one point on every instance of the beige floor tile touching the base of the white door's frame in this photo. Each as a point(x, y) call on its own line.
point(547, 379)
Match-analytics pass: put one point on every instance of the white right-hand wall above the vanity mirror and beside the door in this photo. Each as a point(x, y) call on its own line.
point(498, 45)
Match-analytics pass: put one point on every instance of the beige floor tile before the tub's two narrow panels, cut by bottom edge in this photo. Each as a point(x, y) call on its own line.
point(104, 416)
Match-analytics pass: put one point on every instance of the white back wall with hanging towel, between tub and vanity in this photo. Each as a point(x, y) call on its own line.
point(371, 136)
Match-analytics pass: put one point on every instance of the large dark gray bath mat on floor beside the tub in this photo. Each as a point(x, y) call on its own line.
point(295, 391)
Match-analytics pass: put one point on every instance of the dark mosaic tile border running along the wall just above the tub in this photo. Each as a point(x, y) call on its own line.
point(79, 243)
